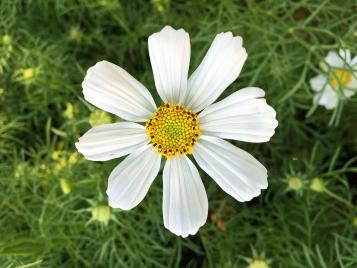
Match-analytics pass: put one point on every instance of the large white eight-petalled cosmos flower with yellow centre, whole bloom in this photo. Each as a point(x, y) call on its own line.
point(187, 123)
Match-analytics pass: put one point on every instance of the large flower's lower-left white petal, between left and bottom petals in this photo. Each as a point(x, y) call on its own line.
point(130, 181)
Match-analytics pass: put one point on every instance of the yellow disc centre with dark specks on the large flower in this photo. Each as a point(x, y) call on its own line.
point(173, 130)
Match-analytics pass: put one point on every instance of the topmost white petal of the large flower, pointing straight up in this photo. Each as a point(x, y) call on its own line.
point(169, 52)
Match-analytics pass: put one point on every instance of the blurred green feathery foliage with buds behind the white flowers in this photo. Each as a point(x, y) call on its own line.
point(53, 206)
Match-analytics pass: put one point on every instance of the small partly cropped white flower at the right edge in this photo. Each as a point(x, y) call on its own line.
point(338, 81)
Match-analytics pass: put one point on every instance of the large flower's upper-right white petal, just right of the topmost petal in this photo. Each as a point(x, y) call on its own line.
point(219, 68)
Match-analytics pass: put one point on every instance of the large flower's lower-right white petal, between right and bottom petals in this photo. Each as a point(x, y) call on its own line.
point(237, 172)
